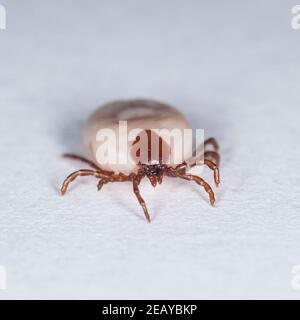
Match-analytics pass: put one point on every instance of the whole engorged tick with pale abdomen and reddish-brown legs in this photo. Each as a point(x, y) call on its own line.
point(142, 118)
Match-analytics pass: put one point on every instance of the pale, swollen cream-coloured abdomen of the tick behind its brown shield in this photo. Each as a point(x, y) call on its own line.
point(145, 115)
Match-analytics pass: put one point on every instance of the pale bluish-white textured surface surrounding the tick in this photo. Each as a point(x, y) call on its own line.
point(232, 67)
